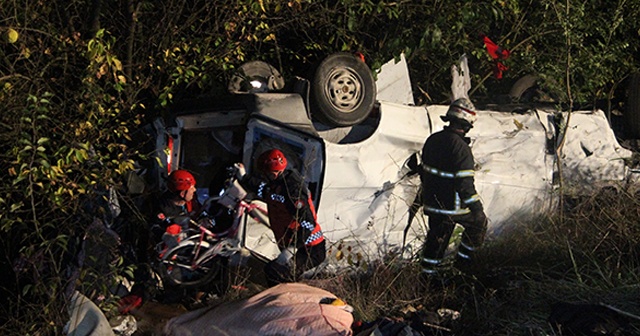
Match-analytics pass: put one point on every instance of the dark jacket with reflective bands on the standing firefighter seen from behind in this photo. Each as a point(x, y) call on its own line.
point(447, 174)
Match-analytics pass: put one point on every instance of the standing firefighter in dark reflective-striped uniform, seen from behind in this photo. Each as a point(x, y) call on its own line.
point(448, 191)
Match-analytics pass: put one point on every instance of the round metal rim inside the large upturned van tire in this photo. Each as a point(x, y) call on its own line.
point(344, 89)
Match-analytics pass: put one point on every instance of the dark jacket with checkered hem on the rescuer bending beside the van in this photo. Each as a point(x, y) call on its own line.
point(292, 215)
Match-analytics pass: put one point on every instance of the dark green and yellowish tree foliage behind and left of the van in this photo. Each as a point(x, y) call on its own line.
point(82, 77)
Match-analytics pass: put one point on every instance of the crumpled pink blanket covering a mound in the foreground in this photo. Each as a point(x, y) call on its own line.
point(286, 309)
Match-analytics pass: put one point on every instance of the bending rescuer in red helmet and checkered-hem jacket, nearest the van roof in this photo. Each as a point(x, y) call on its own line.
point(292, 217)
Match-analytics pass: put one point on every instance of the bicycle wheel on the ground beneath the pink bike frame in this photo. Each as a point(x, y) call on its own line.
point(176, 267)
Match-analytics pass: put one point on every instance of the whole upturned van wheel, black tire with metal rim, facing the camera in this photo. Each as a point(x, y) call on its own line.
point(343, 91)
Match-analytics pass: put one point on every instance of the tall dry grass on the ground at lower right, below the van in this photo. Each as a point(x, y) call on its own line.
point(589, 253)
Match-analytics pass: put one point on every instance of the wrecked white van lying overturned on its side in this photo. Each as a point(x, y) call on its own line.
point(357, 173)
